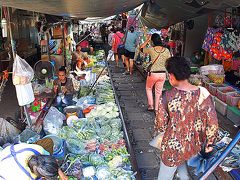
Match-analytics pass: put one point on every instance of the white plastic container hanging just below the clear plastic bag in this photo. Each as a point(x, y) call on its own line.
point(25, 94)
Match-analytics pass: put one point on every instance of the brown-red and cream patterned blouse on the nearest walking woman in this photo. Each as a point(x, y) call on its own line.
point(187, 120)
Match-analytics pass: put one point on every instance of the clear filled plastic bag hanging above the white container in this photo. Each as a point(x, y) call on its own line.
point(22, 72)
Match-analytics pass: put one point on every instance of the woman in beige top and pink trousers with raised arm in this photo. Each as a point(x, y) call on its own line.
point(157, 72)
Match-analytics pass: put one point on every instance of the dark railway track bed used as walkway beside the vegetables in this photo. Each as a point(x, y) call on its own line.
point(133, 101)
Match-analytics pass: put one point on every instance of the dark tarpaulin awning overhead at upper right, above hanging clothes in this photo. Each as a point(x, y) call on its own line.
point(161, 13)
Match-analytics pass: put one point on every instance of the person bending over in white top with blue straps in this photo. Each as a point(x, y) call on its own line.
point(28, 161)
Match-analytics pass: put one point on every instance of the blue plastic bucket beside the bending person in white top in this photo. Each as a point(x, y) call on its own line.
point(59, 148)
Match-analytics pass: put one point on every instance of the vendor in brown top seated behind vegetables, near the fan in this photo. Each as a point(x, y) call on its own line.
point(63, 87)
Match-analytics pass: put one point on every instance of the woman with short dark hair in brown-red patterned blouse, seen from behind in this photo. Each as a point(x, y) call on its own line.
point(188, 119)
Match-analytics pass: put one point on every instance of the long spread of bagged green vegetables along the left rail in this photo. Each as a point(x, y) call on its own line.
point(90, 138)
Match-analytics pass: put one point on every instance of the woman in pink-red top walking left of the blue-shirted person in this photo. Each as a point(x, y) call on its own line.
point(116, 41)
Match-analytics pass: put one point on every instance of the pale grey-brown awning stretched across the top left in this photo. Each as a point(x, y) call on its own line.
point(75, 8)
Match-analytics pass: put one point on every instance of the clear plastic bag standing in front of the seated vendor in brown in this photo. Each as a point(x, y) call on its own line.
point(53, 121)
